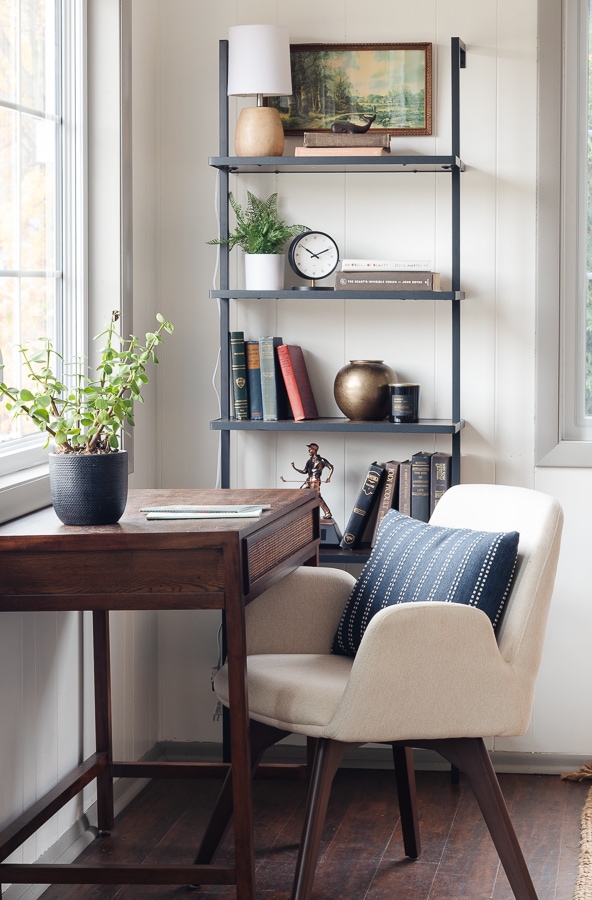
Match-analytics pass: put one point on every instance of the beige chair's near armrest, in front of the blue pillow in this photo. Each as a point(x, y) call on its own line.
point(442, 676)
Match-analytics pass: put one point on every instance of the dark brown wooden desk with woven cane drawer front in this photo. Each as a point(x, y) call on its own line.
point(136, 564)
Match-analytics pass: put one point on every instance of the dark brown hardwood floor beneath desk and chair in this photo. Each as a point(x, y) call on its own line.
point(361, 855)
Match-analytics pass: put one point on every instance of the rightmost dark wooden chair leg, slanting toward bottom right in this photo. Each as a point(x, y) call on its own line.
point(471, 757)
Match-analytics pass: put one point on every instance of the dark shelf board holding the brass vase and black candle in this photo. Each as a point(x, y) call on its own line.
point(339, 424)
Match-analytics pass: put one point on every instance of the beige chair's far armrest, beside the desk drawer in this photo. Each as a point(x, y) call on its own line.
point(300, 613)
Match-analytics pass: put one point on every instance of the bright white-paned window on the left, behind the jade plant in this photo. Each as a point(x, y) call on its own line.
point(40, 195)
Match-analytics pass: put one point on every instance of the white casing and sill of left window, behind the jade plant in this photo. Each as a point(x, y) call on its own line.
point(98, 254)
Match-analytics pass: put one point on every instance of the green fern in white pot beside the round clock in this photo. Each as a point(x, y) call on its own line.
point(262, 235)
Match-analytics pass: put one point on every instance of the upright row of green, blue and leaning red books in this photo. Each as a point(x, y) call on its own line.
point(269, 380)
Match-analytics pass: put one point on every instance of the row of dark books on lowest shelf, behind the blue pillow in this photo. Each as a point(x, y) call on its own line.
point(413, 486)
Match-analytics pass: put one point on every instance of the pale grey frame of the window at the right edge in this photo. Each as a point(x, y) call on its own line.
point(563, 438)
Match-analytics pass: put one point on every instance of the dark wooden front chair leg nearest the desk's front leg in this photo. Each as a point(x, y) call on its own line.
point(327, 759)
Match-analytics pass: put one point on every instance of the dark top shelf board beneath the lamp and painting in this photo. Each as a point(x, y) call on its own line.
point(390, 162)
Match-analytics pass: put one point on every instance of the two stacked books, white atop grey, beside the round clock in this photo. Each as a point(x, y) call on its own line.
point(386, 275)
